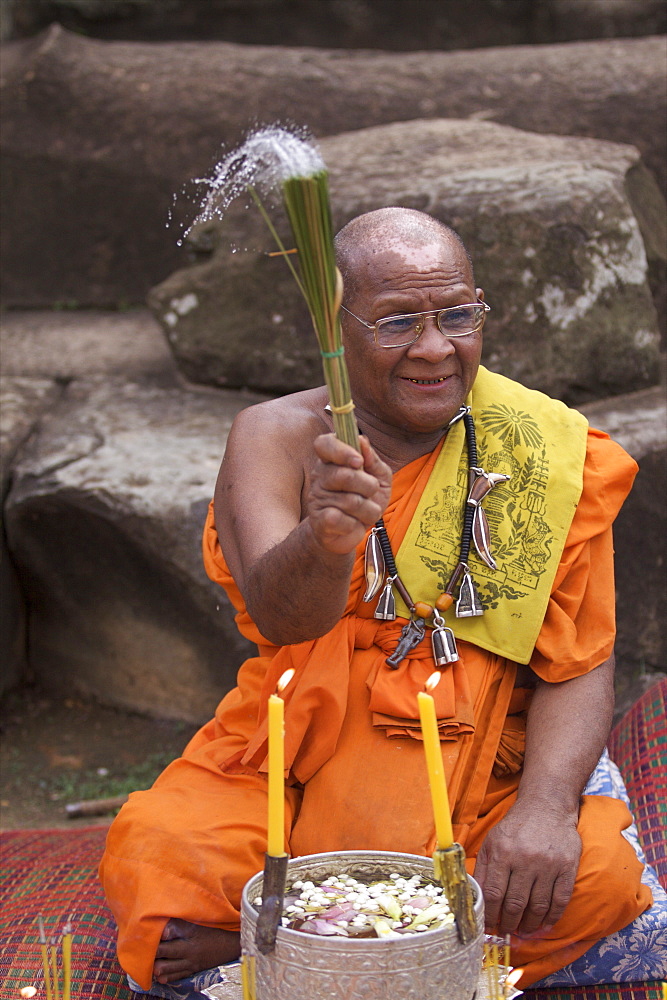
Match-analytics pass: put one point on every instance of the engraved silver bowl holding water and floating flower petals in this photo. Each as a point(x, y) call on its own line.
point(431, 965)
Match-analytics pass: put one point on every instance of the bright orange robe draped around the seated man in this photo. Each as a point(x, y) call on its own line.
point(356, 771)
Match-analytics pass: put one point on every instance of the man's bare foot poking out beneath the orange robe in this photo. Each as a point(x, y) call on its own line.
point(186, 949)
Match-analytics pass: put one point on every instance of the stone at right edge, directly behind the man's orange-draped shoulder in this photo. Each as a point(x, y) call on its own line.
point(638, 421)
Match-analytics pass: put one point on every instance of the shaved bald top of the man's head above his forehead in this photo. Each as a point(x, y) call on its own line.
point(380, 231)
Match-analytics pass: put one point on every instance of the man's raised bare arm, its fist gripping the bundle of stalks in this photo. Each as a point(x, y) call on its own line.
point(289, 540)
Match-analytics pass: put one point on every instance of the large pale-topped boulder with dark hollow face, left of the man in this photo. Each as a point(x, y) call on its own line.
point(104, 521)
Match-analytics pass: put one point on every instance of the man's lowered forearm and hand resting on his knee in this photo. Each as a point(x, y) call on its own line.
point(528, 862)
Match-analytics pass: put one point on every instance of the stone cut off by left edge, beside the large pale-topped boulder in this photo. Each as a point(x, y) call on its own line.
point(23, 402)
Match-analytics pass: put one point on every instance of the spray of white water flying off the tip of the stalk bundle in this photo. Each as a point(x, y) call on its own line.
point(266, 159)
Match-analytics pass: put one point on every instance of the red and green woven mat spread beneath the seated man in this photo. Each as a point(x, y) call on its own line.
point(53, 872)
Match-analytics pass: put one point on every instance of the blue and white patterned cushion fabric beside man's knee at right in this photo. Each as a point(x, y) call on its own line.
point(639, 951)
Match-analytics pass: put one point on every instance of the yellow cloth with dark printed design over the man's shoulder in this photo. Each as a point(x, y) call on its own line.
point(541, 444)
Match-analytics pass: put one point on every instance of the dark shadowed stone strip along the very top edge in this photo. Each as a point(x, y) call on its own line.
point(360, 24)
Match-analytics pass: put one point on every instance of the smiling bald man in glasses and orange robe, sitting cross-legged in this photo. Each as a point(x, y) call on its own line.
point(524, 710)
